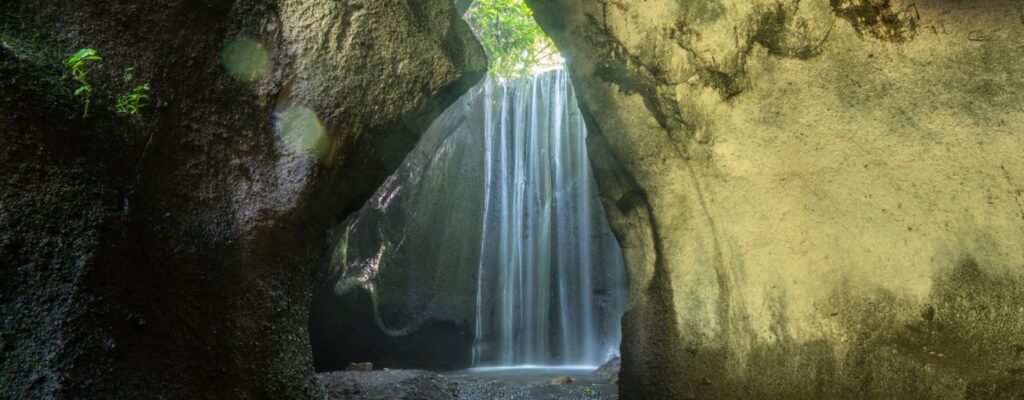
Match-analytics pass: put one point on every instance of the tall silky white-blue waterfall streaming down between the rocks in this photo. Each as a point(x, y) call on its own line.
point(550, 283)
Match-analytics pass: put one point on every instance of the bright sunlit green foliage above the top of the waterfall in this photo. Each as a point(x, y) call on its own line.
point(514, 41)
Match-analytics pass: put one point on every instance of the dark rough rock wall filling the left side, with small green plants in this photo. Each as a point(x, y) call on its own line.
point(177, 250)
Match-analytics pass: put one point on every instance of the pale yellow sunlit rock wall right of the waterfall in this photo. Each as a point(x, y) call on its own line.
point(816, 200)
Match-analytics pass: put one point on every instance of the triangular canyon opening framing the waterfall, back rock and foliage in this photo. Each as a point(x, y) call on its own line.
point(489, 250)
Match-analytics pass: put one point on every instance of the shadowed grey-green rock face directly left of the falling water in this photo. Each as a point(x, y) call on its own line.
point(417, 244)
